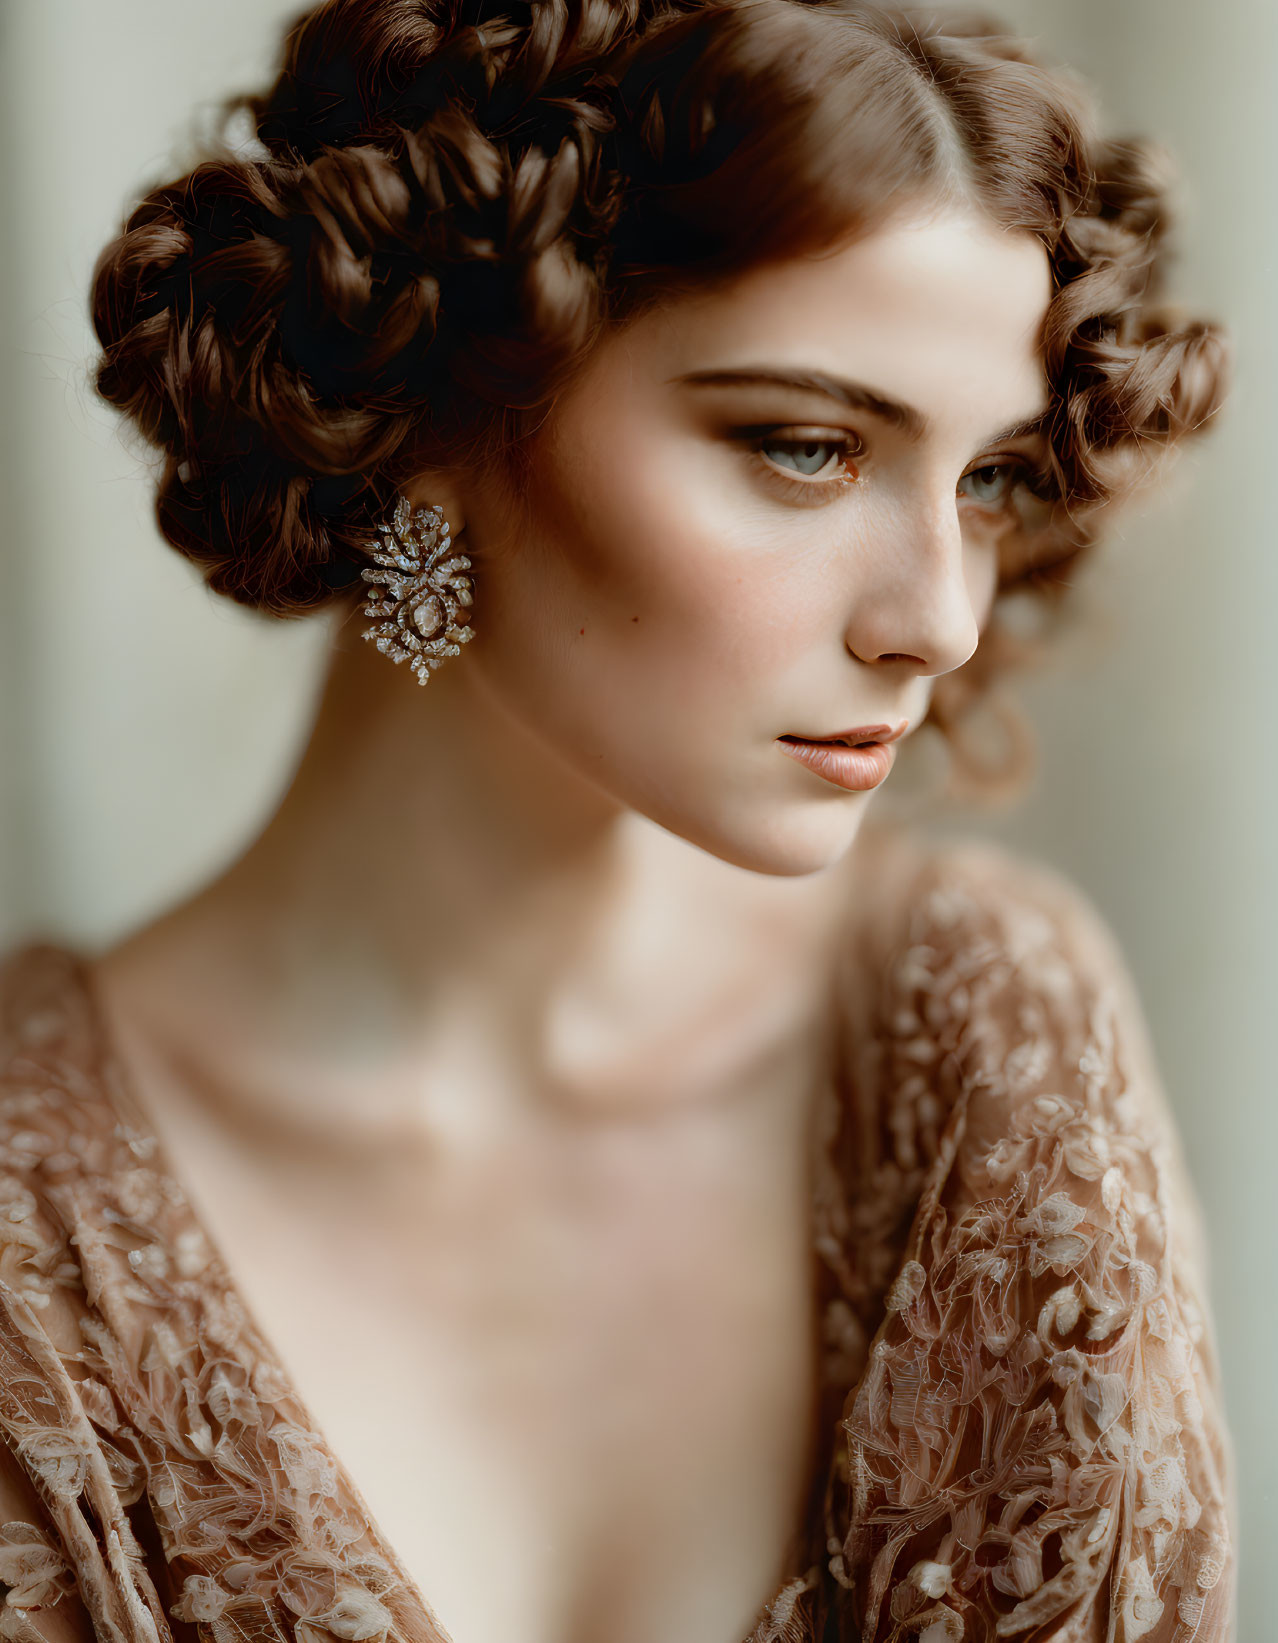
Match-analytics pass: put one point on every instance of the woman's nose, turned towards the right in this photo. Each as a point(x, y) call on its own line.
point(914, 601)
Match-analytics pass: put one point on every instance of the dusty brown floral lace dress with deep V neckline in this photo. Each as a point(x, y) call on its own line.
point(1019, 1388)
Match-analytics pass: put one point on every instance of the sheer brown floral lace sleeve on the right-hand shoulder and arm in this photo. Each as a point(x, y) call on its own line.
point(1037, 1447)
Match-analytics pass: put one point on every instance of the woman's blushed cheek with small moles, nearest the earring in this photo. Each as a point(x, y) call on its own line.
point(653, 591)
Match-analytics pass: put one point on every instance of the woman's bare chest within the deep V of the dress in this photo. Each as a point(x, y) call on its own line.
point(576, 1396)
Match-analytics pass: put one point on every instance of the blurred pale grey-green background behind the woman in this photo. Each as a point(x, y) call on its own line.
point(145, 727)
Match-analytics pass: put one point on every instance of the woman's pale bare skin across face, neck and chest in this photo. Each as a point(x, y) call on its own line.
point(497, 1049)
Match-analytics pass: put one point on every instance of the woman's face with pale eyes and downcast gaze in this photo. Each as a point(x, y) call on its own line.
point(771, 510)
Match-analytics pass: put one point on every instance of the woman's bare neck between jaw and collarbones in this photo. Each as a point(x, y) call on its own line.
point(439, 886)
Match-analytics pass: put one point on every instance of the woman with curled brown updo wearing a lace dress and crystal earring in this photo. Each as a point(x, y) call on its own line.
point(576, 1176)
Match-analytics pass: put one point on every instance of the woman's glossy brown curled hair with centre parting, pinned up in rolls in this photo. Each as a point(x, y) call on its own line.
point(449, 203)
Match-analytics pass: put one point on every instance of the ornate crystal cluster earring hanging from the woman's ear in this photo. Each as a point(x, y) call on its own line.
point(420, 591)
